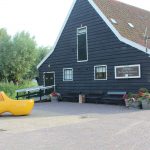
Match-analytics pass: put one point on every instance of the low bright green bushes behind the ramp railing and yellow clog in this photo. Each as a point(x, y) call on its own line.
point(10, 88)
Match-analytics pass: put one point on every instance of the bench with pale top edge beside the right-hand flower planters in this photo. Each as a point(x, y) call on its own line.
point(114, 97)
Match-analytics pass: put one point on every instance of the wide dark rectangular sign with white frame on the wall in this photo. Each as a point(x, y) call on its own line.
point(128, 71)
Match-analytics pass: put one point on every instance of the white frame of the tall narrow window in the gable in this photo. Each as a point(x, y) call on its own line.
point(86, 44)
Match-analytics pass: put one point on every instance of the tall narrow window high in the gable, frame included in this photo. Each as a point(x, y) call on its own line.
point(82, 46)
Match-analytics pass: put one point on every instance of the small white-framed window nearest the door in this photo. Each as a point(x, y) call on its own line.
point(67, 74)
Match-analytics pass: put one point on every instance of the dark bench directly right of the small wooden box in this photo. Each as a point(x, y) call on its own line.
point(94, 97)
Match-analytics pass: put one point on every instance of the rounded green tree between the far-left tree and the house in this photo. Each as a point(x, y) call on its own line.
point(23, 55)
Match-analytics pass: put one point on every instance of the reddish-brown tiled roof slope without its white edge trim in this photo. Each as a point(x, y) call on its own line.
point(124, 14)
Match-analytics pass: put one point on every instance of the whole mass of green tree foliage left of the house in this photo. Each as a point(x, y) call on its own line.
point(19, 56)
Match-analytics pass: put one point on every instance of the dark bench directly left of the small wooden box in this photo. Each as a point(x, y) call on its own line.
point(70, 97)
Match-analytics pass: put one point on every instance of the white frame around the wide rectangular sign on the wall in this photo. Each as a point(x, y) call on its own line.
point(131, 77)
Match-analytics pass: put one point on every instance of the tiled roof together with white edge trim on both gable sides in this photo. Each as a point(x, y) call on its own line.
point(121, 13)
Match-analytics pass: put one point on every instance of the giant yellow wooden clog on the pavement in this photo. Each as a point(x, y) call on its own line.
point(15, 107)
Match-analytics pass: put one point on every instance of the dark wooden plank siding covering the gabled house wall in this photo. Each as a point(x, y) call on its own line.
point(103, 49)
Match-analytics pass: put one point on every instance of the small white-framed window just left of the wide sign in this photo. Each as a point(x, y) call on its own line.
point(100, 72)
